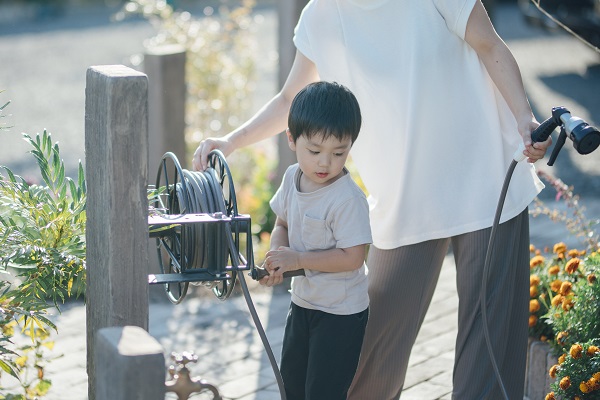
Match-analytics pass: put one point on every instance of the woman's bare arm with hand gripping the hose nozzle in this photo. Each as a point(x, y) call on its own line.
point(504, 71)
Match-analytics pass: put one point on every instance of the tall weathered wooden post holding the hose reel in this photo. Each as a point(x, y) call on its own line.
point(116, 147)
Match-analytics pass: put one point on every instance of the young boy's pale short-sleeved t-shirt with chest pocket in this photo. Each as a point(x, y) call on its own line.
point(335, 216)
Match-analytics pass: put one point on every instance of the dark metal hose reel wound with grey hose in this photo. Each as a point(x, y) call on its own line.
point(198, 231)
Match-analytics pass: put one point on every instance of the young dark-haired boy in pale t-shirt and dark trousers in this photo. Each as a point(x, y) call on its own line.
point(322, 227)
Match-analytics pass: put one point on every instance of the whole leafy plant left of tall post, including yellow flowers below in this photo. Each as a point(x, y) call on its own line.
point(42, 248)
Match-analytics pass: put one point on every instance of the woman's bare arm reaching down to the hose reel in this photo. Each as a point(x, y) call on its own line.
point(270, 120)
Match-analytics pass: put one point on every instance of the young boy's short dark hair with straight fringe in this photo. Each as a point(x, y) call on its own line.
point(324, 108)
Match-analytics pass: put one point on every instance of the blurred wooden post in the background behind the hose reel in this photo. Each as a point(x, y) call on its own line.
point(165, 67)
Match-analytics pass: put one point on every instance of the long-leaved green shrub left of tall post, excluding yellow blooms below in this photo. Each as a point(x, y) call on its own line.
point(42, 228)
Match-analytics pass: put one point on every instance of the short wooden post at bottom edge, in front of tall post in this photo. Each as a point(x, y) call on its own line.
point(130, 365)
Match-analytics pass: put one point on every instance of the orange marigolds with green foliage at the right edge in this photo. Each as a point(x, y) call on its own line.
point(565, 301)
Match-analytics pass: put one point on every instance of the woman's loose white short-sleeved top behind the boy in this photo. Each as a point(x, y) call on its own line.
point(437, 136)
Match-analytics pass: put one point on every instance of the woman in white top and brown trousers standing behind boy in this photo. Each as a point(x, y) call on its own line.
point(443, 111)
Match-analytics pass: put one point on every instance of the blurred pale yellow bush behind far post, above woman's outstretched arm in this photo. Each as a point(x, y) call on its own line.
point(220, 69)
